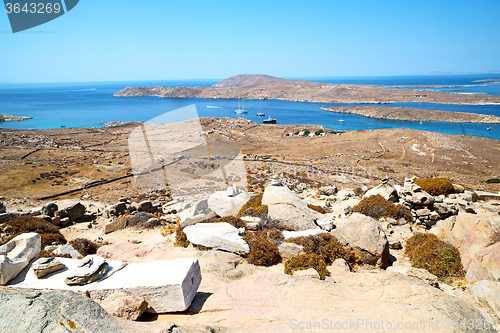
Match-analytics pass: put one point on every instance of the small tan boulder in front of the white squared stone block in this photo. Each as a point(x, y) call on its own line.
point(123, 305)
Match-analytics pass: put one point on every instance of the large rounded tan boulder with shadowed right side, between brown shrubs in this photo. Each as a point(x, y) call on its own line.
point(366, 237)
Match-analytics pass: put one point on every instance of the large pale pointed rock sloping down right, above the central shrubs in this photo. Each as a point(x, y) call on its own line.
point(290, 210)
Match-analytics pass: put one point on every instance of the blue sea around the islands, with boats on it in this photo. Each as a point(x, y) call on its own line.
point(91, 104)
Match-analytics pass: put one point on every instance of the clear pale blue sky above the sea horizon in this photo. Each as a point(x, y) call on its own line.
point(123, 40)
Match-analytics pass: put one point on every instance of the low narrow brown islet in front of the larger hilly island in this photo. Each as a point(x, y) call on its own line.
point(410, 114)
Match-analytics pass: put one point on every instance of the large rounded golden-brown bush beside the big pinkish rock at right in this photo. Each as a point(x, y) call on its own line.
point(440, 258)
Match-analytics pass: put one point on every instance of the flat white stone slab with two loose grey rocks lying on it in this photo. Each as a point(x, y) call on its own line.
point(56, 280)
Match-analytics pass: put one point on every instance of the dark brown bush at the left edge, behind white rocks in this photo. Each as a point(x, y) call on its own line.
point(25, 224)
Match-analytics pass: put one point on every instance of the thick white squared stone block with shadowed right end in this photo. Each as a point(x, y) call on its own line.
point(166, 285)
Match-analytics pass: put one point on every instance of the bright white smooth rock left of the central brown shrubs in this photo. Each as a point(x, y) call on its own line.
point(221, 236)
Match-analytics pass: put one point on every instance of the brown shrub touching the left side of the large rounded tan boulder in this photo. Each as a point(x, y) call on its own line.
point(325, 246)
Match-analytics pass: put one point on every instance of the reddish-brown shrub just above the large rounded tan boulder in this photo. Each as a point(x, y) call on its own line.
point(377, 206)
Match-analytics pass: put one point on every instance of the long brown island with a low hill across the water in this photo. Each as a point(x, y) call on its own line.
point(268, 87)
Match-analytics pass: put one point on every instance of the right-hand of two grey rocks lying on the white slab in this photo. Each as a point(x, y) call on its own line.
point(89, 269)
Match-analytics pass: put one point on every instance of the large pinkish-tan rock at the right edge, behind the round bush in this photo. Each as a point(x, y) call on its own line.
point(477, 238)
